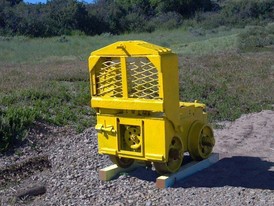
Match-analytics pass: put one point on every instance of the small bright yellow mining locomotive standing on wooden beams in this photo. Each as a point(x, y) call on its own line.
point(135, 92)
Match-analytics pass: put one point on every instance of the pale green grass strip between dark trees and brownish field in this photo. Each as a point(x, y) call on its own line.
point(22, 50)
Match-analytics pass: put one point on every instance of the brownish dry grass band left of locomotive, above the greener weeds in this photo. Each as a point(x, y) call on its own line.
point(34, 76)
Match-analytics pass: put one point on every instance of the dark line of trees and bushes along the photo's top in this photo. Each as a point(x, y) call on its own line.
point(58, 17)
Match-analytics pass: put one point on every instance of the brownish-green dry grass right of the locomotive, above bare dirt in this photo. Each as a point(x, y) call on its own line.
point(229, 83)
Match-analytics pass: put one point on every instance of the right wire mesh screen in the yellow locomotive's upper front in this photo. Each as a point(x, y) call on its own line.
point(142, 79)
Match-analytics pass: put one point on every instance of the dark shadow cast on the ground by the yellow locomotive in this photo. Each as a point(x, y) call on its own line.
point(237, 171)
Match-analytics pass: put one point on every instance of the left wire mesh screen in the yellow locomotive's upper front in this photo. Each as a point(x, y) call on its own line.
point(109, 79)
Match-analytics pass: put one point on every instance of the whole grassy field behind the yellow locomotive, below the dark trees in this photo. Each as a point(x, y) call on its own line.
point(47, 79)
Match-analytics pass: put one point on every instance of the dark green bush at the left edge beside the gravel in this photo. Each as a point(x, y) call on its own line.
point(14, 123)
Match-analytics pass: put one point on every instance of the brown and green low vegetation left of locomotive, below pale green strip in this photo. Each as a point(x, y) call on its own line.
point(57, 92)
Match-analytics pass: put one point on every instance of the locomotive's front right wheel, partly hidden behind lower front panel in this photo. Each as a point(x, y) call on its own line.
point(175, 158)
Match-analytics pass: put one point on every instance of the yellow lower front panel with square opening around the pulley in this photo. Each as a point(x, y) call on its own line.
point(153, 135)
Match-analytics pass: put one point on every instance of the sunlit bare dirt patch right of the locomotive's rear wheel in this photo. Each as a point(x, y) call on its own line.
point(250, 135)
